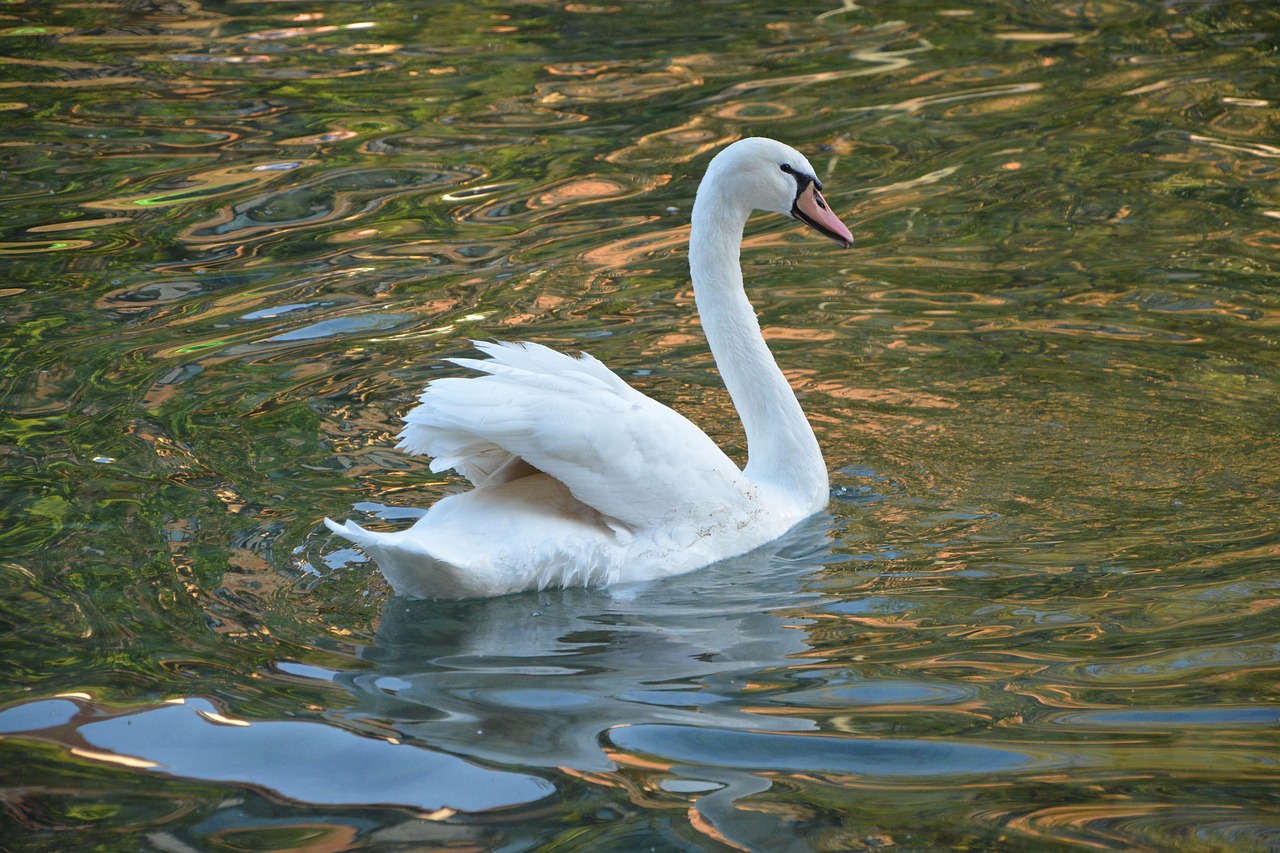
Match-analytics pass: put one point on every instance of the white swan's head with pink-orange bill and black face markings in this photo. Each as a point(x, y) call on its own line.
point(766, 175)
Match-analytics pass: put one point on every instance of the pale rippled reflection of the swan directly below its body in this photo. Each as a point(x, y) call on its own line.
point(538, 679)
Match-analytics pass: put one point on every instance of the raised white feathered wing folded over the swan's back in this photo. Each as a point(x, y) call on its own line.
point(618, 451)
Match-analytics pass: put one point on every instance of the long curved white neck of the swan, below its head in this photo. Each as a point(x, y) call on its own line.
point(781, 446)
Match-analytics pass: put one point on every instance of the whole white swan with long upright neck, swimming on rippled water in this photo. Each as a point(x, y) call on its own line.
point(582, 481)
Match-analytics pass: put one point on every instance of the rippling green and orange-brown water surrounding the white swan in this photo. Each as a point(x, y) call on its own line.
point(240, 238)
